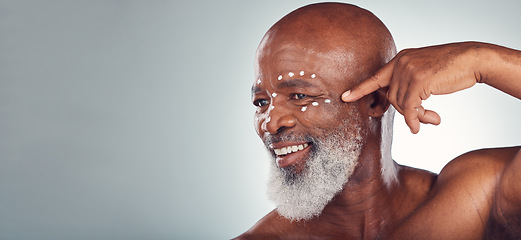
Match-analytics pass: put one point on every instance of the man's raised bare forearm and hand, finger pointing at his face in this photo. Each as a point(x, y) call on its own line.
point(415, 74)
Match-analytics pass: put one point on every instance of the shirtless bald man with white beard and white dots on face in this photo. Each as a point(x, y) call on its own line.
point(332, 174)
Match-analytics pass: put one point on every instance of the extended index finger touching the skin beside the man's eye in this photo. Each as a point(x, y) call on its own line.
point(380, 79)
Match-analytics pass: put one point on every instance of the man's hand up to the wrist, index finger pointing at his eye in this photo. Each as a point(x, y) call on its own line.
point(413, 75)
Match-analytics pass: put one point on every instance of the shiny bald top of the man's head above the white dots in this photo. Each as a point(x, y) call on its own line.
point(356, 41)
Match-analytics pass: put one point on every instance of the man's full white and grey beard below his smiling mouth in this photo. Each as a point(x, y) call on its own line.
point(302, 196)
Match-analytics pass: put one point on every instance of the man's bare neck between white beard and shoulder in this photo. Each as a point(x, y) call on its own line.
point(367, 204)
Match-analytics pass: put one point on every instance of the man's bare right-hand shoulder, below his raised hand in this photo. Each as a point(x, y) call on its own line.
point(458, 206)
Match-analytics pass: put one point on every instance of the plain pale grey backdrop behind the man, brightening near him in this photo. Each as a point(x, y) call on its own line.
point(133, 119)
